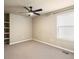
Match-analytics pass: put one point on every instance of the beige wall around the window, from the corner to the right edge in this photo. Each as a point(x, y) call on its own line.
point(44, 29)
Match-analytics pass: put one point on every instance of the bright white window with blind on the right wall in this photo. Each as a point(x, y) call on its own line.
point(65, 26)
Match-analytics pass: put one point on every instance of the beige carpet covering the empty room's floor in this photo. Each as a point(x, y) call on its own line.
point(34, 50)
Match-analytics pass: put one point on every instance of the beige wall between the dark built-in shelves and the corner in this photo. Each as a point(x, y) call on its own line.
point(20, 28)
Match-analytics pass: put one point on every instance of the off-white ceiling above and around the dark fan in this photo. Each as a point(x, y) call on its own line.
point(47, 5)
